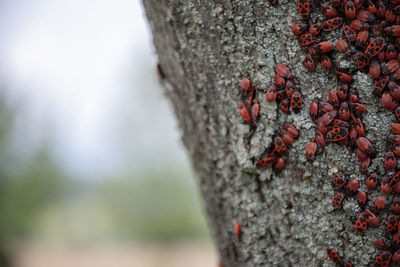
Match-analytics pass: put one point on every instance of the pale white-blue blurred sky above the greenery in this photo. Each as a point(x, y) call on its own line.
point(81, 73)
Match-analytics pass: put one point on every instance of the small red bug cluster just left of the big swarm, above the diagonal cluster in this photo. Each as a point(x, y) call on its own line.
point(284, 90)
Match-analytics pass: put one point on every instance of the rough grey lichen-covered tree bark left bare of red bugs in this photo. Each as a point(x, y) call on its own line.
point(205, 48)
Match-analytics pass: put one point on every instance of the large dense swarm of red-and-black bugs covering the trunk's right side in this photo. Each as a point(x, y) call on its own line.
point(372, 35)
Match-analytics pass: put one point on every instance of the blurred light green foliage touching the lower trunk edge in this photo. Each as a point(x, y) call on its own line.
point(155, 204)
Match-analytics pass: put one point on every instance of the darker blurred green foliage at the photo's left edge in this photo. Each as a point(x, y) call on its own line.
point(27, 186)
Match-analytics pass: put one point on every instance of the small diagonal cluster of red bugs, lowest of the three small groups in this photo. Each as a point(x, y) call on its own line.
point(286, 136)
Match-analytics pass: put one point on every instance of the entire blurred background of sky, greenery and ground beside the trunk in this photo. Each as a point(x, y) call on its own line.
point(92, 170)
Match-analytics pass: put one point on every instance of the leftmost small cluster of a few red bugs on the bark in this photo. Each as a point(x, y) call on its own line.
point(252, 115)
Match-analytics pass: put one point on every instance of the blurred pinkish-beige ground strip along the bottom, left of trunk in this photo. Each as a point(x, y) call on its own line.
point(139, 255)
